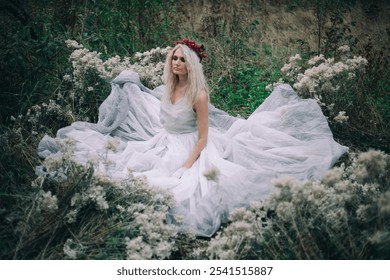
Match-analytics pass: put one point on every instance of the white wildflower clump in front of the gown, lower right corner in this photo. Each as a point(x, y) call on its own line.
point(333, 218)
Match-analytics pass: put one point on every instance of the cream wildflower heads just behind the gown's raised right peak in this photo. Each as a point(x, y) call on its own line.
point(328, 80)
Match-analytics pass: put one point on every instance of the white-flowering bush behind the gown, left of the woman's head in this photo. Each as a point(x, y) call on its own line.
point(80, 92)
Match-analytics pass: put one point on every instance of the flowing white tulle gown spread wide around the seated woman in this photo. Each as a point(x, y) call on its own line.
point(285, 136)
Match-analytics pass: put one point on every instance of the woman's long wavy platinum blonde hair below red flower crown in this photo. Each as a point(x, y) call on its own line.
point(196, 80)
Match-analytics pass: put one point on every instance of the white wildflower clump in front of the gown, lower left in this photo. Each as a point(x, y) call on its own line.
point(87, 214)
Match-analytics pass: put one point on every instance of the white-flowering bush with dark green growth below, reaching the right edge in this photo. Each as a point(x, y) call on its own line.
point(342, 88)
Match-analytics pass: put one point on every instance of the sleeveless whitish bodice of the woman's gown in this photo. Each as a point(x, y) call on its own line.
point(178, 118)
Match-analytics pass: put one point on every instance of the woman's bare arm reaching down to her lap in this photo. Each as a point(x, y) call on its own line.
point(202, 114)
